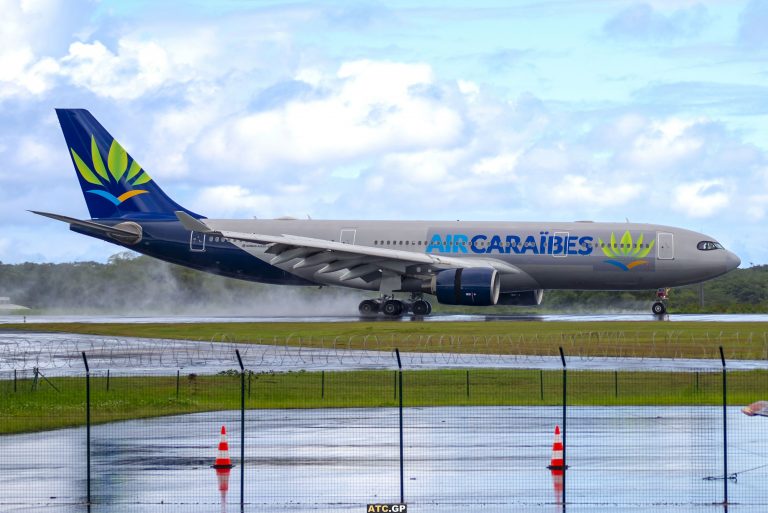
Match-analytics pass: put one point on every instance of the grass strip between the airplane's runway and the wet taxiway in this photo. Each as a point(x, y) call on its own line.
point(746, 340)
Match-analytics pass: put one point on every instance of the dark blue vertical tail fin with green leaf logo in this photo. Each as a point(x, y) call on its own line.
point(113, 183)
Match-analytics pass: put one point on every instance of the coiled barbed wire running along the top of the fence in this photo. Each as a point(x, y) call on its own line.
point(586, 349)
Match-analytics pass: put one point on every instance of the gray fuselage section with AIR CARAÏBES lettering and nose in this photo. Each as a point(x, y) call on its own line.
point(550, 255)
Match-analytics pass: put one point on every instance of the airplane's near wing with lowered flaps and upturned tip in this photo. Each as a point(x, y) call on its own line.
point(358, 261)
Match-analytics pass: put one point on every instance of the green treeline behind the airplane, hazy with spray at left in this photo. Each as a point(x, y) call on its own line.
point(141, 285)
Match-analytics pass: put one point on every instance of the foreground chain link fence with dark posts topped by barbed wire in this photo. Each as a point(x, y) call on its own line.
point(321, 429)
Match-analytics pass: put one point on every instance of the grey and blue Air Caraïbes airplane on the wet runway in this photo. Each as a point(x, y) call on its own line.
point(459, 263)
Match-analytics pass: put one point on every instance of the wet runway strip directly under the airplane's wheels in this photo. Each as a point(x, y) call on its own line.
point(617, 316)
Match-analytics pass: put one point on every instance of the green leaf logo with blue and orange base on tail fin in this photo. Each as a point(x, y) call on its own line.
point(115, 175)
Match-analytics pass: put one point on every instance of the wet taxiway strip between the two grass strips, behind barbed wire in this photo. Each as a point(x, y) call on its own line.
point(59, 354)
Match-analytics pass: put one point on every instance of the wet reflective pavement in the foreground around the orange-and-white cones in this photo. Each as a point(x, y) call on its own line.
point(488, 459)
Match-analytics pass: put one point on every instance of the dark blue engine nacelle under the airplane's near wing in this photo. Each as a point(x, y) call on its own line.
point(476, 286)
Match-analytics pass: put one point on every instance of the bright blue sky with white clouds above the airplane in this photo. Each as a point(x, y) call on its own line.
point(508, 110)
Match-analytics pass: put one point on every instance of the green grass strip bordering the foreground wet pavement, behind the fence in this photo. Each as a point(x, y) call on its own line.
point(28, 410)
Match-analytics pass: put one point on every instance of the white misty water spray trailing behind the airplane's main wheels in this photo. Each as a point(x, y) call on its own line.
point(141, 286)
